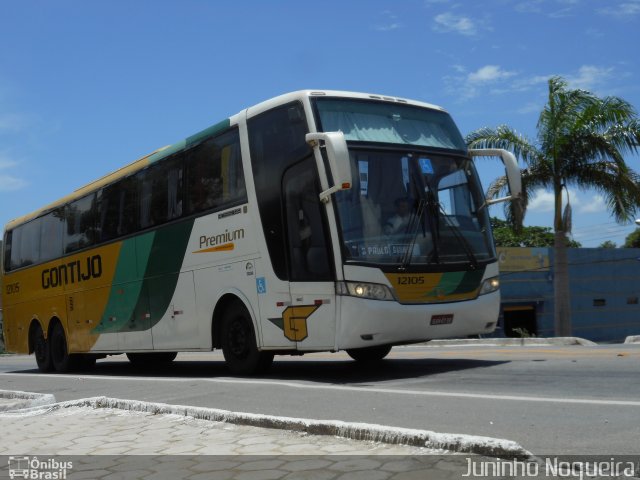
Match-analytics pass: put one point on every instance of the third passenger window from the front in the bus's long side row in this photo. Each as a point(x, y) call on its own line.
point(117, 209)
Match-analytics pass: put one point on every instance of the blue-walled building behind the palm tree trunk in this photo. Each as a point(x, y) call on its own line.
point(604, 285)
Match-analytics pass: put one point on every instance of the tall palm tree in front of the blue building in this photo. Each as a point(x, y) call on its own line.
point(581, 142)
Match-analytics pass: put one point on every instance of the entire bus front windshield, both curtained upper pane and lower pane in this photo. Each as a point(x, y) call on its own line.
point(416, 198)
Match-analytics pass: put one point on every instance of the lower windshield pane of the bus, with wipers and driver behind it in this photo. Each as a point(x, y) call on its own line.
point(414, 209)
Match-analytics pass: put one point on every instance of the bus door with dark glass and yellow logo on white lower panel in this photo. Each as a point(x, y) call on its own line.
point(310, 320)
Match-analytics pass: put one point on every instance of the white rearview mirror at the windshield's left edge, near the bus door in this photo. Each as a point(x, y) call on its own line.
point(338, 157)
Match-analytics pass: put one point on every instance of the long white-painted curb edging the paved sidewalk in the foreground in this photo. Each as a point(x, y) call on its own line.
point(459, 443)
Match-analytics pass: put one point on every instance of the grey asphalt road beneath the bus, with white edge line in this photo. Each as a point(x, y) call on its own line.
point(552, 400)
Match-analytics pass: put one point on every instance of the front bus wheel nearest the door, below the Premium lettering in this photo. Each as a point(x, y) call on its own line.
point(239, 345)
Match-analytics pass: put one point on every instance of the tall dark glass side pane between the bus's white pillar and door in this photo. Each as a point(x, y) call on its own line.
point(276, 140)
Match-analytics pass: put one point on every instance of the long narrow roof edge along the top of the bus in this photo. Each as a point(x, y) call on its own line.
point(168, 150)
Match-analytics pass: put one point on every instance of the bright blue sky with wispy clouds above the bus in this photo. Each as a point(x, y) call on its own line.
point(88, 86)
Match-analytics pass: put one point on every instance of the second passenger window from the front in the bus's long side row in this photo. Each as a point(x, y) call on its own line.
point(160, 192)
